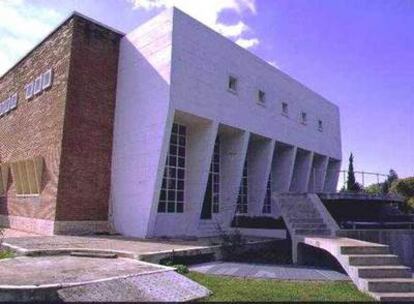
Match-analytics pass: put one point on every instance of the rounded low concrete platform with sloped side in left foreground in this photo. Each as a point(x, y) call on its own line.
point(74, 278)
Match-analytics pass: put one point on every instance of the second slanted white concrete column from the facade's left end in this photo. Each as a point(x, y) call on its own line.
point(234, 145)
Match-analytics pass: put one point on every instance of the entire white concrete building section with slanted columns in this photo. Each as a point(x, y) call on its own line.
point(174, 70)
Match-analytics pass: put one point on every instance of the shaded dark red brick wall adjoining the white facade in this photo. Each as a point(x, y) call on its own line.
point(84, 182)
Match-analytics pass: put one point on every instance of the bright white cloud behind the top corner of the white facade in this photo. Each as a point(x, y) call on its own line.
point(208, 12)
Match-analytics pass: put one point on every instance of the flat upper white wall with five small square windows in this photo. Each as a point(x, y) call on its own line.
point(201, 63)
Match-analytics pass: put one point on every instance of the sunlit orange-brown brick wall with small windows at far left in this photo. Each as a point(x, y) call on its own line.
point(35, 127)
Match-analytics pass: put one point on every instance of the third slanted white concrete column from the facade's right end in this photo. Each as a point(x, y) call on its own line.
point(301, 171)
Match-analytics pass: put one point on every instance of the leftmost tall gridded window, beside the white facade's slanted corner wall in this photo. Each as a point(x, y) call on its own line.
point(172, 189)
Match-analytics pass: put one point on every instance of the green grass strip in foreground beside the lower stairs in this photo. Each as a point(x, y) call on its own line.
point(238, 289)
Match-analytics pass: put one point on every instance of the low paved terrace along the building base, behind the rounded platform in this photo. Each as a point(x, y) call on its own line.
point(152, 250)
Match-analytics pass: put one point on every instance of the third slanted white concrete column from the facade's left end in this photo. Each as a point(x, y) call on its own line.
point(259, 156)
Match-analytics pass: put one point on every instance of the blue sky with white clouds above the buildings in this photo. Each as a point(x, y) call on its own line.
point(358, 54)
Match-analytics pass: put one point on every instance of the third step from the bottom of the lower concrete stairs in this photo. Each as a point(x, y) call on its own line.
point(380, 271)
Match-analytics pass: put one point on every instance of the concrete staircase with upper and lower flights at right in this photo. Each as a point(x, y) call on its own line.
point(371, 266)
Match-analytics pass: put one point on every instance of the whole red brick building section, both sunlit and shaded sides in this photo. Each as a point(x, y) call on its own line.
point(69, 125)
